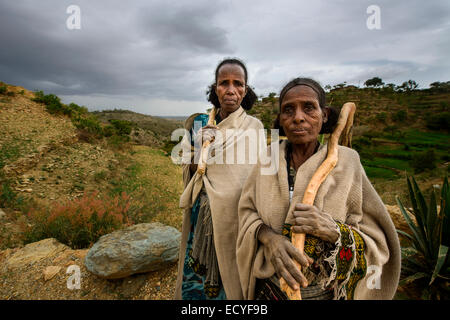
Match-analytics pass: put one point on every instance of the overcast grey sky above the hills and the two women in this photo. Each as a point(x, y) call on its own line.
point(158, 57)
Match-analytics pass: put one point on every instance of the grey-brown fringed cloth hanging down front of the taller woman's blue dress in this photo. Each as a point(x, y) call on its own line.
point(203, 249)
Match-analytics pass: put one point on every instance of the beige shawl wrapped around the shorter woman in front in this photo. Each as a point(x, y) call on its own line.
point(346, 194)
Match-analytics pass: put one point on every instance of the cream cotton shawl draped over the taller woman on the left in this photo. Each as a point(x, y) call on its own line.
point(223, 185)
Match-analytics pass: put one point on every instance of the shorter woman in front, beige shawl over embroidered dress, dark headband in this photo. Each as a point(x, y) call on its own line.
point(351, 250)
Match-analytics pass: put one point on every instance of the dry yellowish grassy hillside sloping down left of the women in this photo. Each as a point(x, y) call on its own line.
point(51, 154)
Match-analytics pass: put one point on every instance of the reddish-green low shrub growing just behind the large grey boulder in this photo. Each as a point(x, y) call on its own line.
point(79, 223)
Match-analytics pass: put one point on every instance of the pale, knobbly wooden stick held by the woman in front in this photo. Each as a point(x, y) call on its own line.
point(343, 127)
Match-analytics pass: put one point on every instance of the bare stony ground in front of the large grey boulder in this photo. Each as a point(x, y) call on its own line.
point(38, 272)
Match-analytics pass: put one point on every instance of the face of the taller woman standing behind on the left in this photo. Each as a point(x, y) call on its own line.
point(230, 87)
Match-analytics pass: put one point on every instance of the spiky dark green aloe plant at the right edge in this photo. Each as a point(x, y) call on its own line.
point(427, 257)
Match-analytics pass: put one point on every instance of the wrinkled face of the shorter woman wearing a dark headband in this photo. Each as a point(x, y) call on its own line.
point(301, 116)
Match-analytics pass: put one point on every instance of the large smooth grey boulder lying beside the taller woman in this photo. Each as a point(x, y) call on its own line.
point(140, 248)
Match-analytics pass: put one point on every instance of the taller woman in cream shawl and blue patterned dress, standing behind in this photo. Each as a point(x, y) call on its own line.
point(207, 264)
